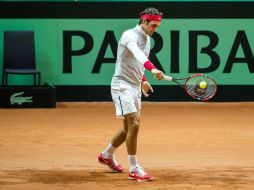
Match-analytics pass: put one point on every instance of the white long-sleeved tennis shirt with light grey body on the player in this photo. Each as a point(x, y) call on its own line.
point(133, 51)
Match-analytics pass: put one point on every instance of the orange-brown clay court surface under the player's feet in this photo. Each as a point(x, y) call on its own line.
point(190, 146)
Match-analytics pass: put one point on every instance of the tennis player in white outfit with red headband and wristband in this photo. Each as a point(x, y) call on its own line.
point(126, 86)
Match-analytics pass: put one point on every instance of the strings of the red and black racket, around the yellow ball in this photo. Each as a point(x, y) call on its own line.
point(193, 87)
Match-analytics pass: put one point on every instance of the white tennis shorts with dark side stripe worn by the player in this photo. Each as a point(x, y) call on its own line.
point(127, 98)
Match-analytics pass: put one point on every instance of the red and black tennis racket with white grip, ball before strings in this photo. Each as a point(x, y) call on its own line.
point(198, 86)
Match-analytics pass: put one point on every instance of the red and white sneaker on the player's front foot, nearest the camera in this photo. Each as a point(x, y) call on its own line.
point(139, 174)
